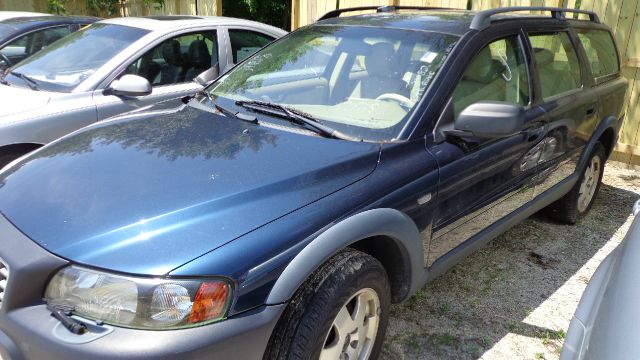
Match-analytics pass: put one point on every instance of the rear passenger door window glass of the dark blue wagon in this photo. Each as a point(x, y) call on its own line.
point(556, 63)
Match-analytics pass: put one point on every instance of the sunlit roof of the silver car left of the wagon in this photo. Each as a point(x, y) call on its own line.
point(154, 23)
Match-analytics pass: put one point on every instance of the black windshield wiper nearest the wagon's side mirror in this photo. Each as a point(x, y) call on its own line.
point(296, 117)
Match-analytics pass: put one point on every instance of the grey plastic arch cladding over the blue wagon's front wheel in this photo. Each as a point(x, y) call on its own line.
point(381, 233)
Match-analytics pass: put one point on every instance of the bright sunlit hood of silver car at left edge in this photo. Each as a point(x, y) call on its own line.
point(15, 100)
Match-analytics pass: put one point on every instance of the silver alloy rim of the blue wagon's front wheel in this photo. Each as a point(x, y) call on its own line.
point(354, 329)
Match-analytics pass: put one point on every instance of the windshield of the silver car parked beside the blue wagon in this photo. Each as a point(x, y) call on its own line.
point(67, 62)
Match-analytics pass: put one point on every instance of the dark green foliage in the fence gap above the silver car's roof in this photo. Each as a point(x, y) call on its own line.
point(272, 12)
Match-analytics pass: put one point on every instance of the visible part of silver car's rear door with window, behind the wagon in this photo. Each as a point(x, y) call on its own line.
point(242, 43)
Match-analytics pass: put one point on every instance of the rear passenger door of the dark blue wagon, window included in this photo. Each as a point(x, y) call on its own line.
point(567, 98)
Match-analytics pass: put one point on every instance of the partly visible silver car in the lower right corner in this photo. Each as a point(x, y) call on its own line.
point(606, 324)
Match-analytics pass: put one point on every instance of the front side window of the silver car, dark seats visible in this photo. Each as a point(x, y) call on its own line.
point(177, 60)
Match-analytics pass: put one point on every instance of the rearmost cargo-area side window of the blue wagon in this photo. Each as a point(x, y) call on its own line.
point(598, 44)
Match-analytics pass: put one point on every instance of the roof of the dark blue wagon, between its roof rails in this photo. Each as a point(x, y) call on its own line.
point(451, 21)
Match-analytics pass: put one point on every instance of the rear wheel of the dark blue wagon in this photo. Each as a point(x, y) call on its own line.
point(576, 203)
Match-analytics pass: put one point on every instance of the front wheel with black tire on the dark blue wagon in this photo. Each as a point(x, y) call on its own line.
point(307, 326)
